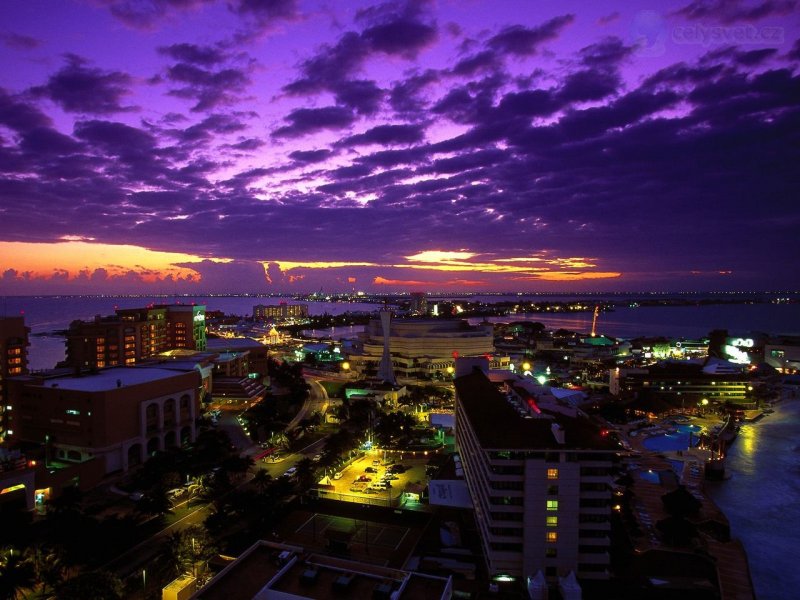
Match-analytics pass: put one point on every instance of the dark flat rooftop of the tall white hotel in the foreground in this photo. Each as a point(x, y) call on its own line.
point(499, 425)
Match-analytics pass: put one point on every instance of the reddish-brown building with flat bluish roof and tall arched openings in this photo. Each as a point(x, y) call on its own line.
point(119, 415)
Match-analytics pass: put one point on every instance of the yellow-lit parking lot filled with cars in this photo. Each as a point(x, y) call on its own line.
point(360, 481)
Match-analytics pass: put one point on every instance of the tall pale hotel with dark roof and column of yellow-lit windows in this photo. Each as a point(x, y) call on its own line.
point(540, 481)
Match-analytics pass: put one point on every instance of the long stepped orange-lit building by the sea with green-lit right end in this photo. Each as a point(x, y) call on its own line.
point(135, 334)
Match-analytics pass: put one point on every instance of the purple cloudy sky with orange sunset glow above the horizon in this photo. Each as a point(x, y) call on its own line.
point(290, 145)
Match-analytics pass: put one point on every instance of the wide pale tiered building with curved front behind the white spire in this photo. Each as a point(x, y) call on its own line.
point(422, 348)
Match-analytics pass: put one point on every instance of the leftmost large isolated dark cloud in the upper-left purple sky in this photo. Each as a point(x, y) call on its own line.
point(78, 88)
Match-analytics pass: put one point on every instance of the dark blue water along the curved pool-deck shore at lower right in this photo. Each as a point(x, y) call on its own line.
point(762, 499)
